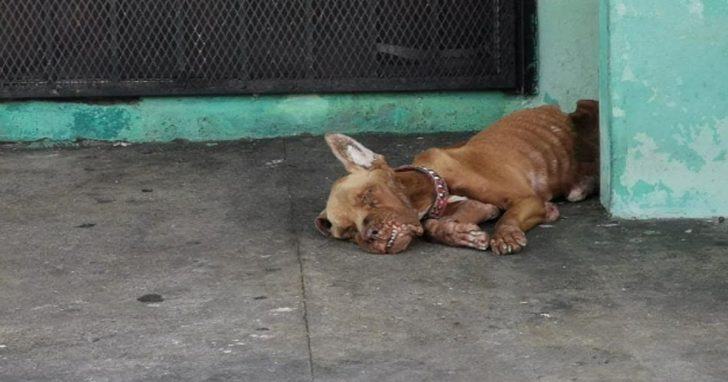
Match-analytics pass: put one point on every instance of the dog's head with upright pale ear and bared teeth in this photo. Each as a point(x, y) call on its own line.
point(368, 206)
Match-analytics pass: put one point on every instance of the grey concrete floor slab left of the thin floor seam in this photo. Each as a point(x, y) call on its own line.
point(203, 239)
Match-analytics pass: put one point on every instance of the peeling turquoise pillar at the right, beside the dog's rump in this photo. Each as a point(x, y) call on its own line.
point(665, 83)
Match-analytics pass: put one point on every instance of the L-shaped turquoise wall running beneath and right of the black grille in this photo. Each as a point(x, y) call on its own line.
point(567, 65)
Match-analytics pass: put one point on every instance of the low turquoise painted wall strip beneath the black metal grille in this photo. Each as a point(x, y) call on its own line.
point(224, 118)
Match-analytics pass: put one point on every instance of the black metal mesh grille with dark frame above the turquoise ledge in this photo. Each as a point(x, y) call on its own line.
point(74, 48)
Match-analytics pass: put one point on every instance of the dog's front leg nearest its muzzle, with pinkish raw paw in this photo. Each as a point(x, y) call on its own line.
point(459, 226)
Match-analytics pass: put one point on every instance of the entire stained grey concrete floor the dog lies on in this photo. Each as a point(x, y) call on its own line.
point(251, 292)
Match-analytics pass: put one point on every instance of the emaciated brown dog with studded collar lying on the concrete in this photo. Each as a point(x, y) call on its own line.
point(518, 165)
